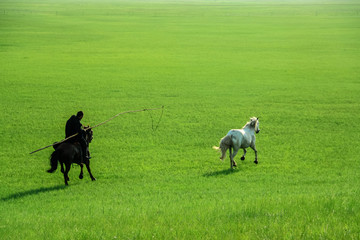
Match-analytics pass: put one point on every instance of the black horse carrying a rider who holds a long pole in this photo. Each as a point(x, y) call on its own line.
point(68, 153)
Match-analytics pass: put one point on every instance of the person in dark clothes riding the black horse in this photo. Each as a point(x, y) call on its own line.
point(74, 126)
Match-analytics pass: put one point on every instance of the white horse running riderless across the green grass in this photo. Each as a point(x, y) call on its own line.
point(240, 138)
